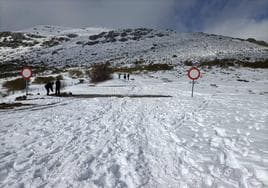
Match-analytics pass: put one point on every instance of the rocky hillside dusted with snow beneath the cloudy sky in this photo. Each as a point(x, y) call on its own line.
point(55, 46)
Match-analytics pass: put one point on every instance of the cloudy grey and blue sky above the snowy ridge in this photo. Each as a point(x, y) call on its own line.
point(237, 18)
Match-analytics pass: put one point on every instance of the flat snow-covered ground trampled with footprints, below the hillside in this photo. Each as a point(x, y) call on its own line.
point(219, 138)
